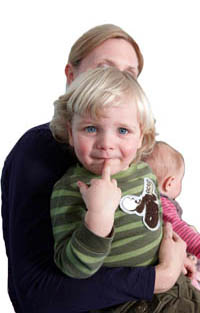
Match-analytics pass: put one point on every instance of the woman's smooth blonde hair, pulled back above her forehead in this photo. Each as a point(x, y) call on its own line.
point(96, 36)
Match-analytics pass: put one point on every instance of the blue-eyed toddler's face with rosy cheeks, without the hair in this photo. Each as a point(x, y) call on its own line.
point(115, 136)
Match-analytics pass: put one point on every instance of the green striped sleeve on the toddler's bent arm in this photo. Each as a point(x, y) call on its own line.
point(79, 253)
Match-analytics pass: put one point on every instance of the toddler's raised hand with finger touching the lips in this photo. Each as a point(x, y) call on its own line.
point(102, 199)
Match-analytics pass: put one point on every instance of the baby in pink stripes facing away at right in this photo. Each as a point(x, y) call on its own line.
point(168, 165)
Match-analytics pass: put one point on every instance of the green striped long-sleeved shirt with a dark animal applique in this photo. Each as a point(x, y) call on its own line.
point(80, 253)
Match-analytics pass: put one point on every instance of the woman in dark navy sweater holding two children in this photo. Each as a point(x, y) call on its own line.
point(30, 171)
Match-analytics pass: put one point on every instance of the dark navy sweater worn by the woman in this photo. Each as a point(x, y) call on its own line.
point(35, 285)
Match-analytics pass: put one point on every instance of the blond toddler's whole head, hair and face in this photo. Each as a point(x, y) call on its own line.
point(105, 115)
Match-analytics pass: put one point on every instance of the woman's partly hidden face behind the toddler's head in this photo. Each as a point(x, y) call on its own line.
point(113, 52)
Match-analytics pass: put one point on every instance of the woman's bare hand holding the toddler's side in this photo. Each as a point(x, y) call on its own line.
point(172, 256)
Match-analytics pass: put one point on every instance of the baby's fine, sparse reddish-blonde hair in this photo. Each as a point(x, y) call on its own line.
point(164, 160)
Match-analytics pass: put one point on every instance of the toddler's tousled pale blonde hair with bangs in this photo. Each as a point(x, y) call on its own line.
point(95, 89)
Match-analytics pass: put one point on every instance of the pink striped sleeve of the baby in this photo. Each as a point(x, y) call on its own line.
point(191, 237)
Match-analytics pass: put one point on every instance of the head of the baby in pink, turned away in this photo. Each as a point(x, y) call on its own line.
point(168, 165)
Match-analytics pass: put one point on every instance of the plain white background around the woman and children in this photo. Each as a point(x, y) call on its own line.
point(36, 37)
